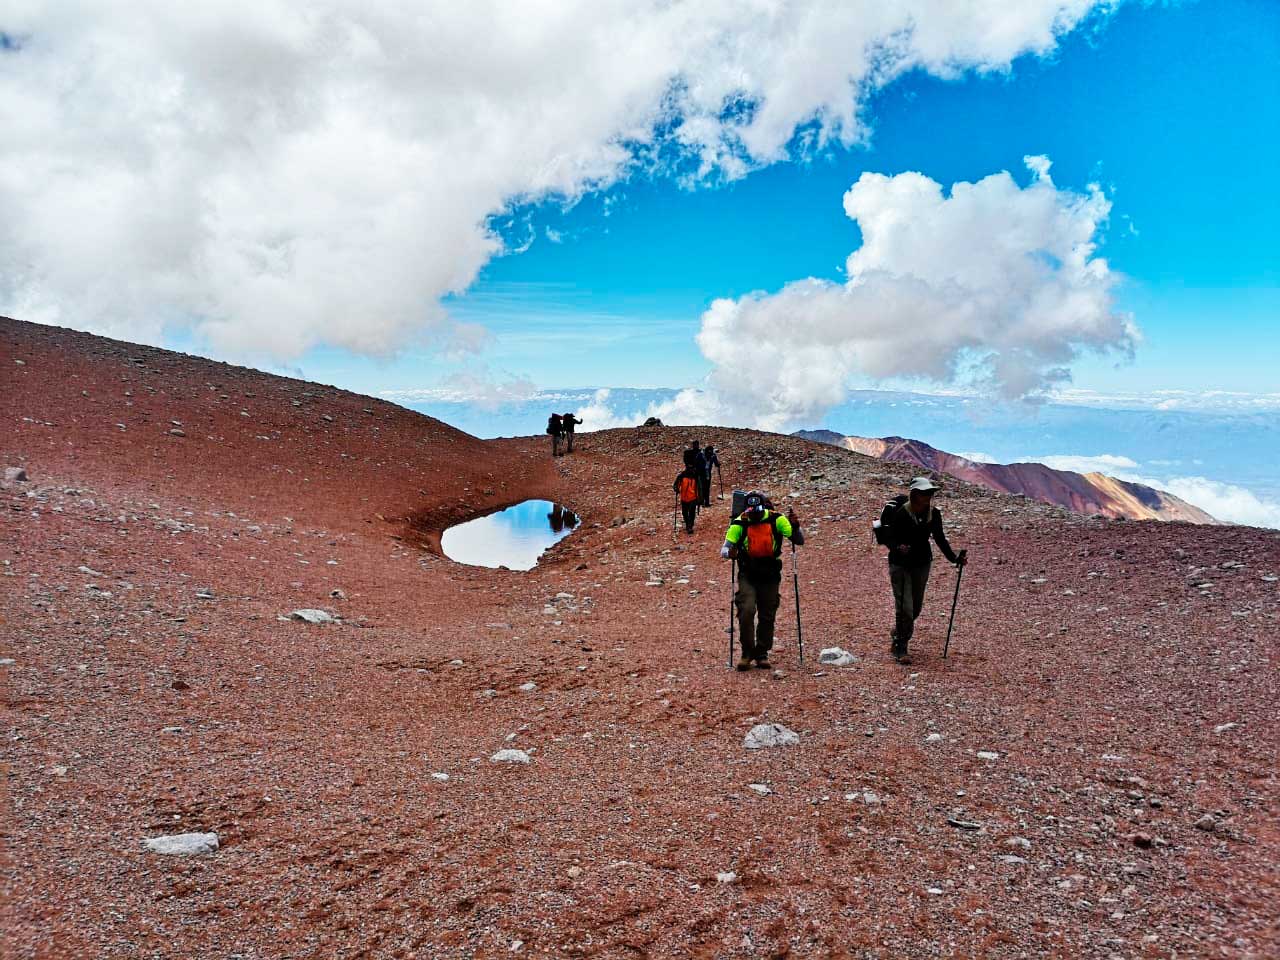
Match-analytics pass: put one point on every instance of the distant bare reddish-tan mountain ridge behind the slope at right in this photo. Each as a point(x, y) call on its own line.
point(1081, 493)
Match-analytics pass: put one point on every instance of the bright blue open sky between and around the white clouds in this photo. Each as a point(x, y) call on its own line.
point(1174, 109)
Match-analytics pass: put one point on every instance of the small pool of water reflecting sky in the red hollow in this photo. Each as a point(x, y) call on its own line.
point(514, 538)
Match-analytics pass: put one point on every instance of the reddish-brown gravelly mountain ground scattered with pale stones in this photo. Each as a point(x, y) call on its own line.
point(1101, 662)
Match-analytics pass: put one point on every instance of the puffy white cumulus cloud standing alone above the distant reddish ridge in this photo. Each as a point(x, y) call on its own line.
point(990, 282)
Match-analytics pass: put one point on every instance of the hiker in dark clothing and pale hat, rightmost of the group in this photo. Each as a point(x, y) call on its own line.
point(908, 529)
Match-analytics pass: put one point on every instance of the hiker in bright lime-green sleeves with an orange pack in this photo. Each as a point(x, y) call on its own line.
point(755, 542)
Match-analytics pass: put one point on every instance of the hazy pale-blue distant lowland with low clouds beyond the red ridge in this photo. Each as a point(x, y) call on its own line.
point(1217, 451)
